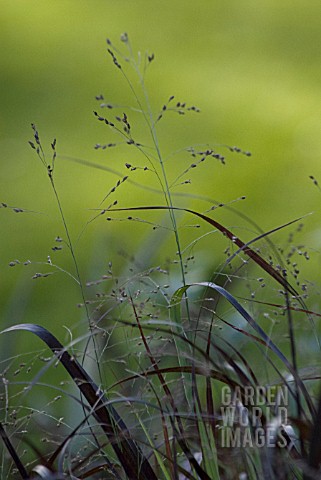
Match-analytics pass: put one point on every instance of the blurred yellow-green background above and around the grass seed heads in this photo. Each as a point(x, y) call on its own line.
point(254, 70)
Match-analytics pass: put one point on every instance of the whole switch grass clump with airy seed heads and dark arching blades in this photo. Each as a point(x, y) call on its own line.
point(143, 383)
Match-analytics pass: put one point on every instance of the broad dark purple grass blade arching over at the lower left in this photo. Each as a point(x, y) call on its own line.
point(128, 452)
